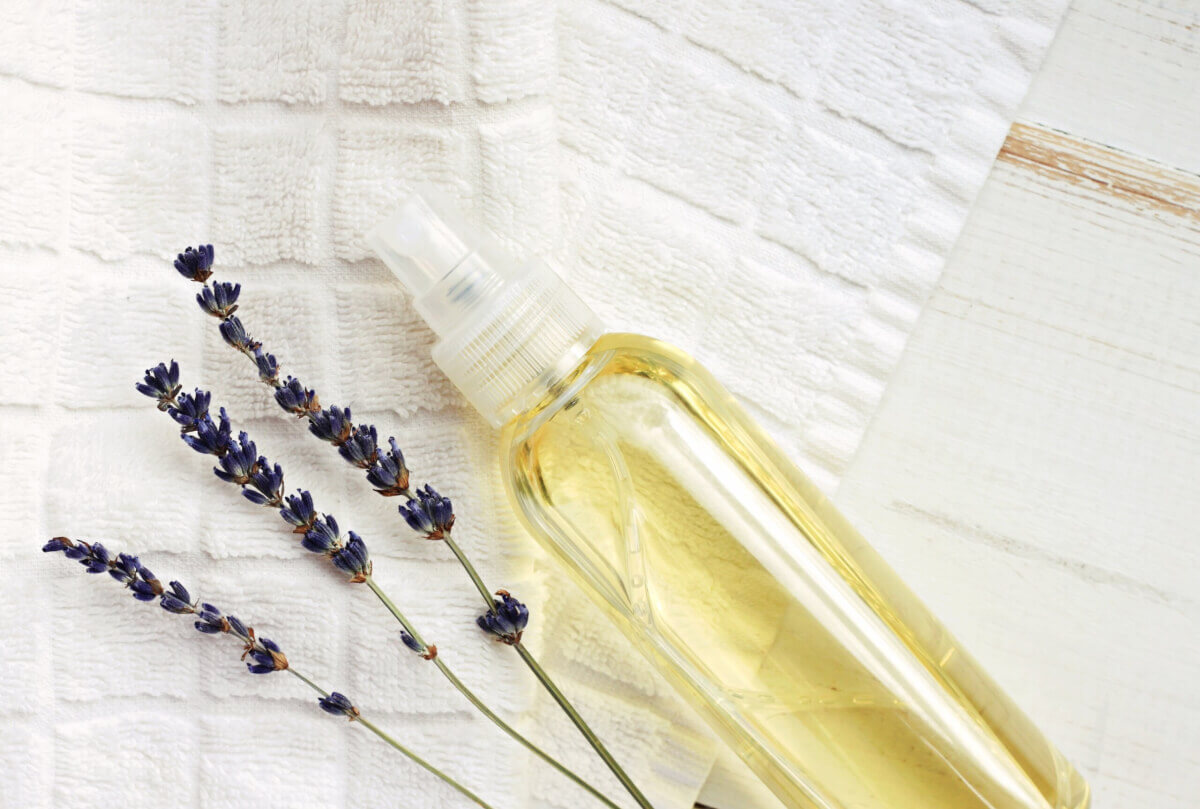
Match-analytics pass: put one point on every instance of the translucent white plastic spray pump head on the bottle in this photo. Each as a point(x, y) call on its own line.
point(507, 331)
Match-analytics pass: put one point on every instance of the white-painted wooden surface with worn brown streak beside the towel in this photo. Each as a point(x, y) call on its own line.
point(1034, 472)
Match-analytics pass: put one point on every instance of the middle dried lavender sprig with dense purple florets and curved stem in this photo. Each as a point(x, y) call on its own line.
point(261, 482)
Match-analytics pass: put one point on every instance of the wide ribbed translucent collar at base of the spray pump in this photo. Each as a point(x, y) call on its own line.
point(507, 356)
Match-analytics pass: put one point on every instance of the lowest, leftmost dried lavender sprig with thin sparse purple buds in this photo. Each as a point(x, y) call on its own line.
point(265, 656)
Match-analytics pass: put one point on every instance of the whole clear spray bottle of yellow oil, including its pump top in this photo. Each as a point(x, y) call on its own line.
point(715, 555)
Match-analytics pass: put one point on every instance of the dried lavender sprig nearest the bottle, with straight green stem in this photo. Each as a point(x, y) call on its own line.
point(425, 511)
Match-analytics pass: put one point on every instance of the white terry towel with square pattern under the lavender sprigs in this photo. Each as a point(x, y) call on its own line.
point(771, 185)
